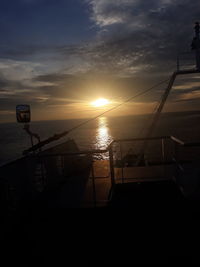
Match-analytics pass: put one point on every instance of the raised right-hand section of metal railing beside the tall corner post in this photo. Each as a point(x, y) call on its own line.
point(127, 151)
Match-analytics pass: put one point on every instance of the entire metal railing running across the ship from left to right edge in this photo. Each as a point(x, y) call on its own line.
point(57, 169)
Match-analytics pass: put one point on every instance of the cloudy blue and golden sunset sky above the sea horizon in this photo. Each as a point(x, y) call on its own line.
point(60, 55)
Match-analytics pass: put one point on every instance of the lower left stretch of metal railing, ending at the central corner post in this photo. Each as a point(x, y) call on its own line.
point(31, 176)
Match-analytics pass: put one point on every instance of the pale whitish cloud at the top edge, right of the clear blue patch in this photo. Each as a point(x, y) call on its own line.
point(106, 13)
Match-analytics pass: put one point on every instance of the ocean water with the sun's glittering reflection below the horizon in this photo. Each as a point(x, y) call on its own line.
point(98, 133)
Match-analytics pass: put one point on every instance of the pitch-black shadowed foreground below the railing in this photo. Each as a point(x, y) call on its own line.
point(144, 225)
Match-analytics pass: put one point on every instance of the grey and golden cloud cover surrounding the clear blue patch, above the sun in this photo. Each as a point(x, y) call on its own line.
point(136, 45)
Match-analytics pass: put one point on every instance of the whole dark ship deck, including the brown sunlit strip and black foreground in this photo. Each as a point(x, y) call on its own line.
point(127, 223)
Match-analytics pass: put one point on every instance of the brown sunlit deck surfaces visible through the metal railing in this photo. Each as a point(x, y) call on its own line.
point(130, 175)
